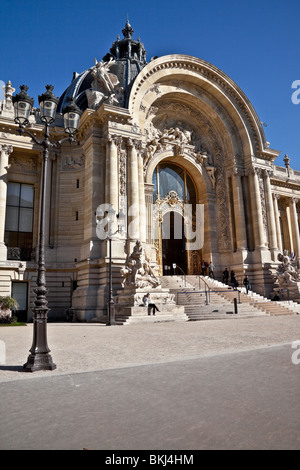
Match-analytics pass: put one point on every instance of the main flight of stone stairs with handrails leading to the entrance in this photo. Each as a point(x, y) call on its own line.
point(205, 298)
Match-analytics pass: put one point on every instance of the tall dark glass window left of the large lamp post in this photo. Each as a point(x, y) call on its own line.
point(19, 221)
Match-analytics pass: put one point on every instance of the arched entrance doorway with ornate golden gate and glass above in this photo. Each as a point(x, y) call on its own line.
point(174, 198)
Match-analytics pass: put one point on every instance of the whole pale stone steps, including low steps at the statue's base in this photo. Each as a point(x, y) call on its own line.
point(191, 303)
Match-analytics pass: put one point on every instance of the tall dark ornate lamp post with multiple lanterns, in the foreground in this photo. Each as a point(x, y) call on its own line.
point(40, 359)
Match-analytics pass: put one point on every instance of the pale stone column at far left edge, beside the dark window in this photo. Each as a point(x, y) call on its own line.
point(5, 151)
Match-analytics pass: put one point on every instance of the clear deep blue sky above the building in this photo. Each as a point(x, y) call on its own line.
point(255, 42)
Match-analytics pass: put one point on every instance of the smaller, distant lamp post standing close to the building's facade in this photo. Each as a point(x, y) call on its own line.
point(111, 213)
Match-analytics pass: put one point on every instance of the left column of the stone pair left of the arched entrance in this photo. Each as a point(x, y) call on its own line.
point(111, 180)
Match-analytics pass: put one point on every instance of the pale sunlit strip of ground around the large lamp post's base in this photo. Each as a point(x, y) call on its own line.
point(83, 347)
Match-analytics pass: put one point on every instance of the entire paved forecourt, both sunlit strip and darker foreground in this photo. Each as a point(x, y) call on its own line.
point(175, 386)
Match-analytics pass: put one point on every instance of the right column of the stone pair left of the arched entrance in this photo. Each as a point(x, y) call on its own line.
point(133, 192)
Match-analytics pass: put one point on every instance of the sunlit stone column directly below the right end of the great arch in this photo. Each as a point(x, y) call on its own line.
point(259, 231)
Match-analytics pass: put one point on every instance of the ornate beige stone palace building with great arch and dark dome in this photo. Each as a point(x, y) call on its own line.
point(174, 150)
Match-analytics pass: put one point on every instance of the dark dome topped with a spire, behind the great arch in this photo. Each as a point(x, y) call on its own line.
point(127, 58)
